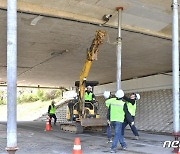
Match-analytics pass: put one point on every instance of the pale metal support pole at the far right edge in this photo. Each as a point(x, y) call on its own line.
point(175, 65)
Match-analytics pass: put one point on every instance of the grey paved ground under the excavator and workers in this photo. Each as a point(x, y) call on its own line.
point(32, 139)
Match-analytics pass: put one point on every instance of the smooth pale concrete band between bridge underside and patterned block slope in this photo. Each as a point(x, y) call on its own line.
point(139, 85)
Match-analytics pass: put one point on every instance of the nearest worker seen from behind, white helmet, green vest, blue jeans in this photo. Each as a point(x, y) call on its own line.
point(118, 111)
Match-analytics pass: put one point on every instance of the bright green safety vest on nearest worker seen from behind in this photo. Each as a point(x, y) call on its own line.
point(117, 110)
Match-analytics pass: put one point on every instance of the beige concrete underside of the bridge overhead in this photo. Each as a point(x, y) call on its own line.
point(53, 38)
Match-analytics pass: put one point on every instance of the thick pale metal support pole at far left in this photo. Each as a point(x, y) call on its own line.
point(11, 76)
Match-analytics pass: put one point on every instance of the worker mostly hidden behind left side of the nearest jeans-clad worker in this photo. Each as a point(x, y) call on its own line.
point(109, 98)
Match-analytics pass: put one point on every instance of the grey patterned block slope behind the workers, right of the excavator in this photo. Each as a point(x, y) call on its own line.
point(154, 111)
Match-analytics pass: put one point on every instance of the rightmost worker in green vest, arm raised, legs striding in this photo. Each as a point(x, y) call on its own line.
point(131, 104)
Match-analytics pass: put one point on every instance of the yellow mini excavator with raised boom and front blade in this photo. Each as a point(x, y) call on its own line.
point(80, 113)
